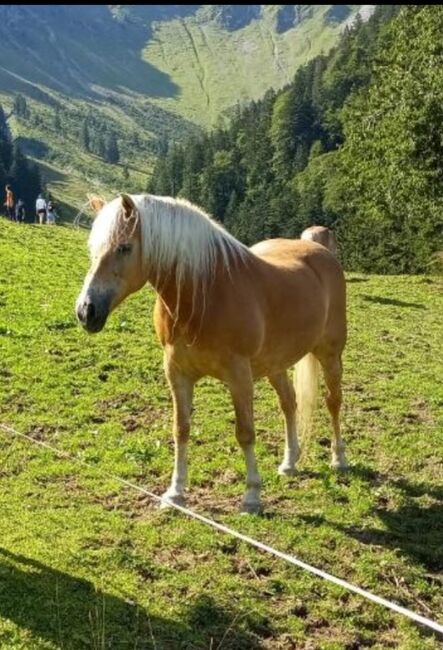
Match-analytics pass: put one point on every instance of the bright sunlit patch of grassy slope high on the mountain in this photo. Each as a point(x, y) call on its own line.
point(223, 68)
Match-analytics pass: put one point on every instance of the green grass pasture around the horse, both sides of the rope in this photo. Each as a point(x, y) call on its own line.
point(88, 563)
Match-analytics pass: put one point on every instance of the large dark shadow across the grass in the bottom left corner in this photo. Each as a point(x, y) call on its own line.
point(71, 613)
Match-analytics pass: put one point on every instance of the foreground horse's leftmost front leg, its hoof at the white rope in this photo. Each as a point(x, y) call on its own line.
point(182, 388)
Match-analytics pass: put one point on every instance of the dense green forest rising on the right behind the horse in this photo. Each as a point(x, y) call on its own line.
point(354, 143)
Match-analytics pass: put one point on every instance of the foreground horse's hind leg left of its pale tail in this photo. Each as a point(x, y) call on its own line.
point(286, 395)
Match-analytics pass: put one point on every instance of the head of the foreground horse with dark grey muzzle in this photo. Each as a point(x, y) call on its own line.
point(116, 269)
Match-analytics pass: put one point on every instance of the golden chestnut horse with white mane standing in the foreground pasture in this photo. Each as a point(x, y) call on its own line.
point(224, 310)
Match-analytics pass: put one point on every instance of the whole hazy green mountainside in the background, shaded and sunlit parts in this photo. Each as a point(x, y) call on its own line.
point(143, 75)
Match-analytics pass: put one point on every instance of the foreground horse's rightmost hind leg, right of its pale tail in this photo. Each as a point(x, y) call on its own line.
point(332, 370)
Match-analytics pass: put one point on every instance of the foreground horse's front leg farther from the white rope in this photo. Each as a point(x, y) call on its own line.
point(242, 391)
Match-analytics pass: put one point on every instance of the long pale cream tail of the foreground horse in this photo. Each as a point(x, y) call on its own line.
point(306, 379)
